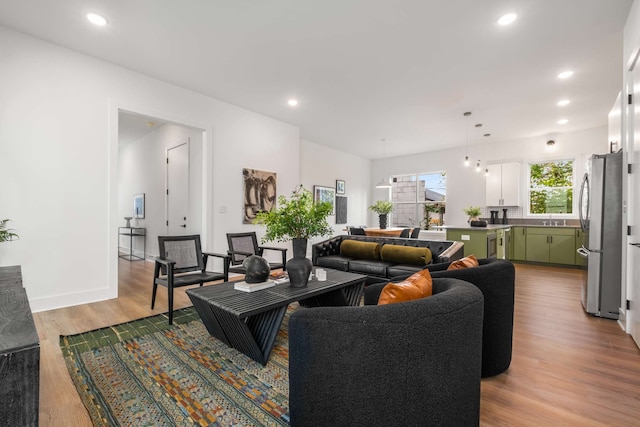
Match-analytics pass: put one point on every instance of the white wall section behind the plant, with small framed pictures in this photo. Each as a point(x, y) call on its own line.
point(320, 165)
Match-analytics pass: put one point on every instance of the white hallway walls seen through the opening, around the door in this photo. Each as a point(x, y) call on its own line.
point(142, 169)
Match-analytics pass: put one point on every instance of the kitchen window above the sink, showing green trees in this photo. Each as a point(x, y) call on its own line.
point(551, 187)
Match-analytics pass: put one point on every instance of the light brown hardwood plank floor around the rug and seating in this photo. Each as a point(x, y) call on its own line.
point(568, 368)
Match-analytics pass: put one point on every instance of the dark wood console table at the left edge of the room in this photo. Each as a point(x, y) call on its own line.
point(19, 353)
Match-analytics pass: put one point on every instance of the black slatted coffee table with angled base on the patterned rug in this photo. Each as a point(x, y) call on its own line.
point(249, 321)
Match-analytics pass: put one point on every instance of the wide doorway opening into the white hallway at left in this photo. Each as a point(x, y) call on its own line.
point(144, 145)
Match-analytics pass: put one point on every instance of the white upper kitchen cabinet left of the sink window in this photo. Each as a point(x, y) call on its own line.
point(503, 185)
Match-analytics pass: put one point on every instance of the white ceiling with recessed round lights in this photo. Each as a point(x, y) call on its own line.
point(363, 70)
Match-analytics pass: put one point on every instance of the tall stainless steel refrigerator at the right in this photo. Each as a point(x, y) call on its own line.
point(600, 208)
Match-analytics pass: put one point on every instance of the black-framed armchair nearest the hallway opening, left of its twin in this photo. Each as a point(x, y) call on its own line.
point(182, 263)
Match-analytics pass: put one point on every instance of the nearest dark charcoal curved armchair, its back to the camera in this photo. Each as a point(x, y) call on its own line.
point(415, 363)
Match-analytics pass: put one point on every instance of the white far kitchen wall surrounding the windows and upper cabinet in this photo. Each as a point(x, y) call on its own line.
point(466, 187)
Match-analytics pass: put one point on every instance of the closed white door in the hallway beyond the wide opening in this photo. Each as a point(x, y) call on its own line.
point(177, 194)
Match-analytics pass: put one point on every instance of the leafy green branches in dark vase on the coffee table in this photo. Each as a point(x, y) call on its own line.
point(297, 218)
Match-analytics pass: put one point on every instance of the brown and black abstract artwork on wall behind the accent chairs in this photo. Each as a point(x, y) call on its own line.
point(259, 193)
